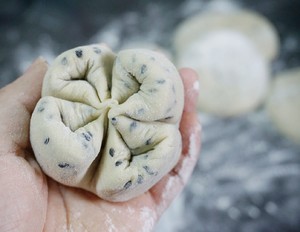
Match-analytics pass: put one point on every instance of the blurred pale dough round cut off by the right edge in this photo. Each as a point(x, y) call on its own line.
point(283, 103)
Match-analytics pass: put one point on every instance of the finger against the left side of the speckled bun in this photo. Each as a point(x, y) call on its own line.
point(17, 102)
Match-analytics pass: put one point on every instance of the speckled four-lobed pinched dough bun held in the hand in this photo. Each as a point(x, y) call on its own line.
point(108, 123)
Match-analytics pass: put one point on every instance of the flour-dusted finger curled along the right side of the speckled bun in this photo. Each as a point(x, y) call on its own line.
point(171, 185)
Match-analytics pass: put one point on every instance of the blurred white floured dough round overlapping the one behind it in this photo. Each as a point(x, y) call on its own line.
point(233, 75)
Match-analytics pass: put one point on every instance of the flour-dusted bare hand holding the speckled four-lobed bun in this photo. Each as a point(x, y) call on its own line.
point(31, 201)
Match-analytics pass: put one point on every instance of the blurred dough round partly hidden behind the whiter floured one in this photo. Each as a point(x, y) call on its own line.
point(254, 26)
